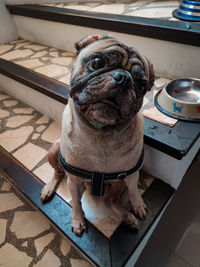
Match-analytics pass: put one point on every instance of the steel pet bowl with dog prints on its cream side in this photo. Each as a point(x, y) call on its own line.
point(180, 99)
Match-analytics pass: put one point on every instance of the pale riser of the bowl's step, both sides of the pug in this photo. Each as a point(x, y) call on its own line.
point(156, 162)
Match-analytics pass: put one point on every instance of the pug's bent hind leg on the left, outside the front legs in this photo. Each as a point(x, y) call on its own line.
point(59, 173)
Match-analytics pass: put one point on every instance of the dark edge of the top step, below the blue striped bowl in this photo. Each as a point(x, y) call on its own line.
point(174, 31)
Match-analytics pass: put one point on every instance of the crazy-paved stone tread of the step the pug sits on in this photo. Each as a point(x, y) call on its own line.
point(27, 135)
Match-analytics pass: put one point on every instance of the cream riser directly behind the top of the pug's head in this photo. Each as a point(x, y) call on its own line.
point(170, 59)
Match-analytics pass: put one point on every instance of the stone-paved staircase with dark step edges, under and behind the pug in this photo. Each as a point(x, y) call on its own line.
point(35, 69)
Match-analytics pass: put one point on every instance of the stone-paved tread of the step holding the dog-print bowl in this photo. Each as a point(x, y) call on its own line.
point(57, 64)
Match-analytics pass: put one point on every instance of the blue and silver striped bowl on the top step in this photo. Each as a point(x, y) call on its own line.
point(188, 10)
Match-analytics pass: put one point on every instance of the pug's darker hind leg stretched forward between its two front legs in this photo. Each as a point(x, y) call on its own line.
point(112, 199)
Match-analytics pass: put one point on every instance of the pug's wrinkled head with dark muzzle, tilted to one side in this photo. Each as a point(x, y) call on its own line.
point(109, 81)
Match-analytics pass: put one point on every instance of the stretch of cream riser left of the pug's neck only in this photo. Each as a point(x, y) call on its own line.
point(42, 103)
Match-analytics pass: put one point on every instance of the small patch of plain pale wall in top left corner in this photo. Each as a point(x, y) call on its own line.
point(8, 30)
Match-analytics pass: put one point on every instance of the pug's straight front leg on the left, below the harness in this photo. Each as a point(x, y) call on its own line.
point(76, 187)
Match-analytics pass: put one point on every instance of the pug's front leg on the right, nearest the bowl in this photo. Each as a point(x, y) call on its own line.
point(135, 198)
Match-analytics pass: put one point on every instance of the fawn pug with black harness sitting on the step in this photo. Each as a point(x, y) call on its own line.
point(101, 145)
